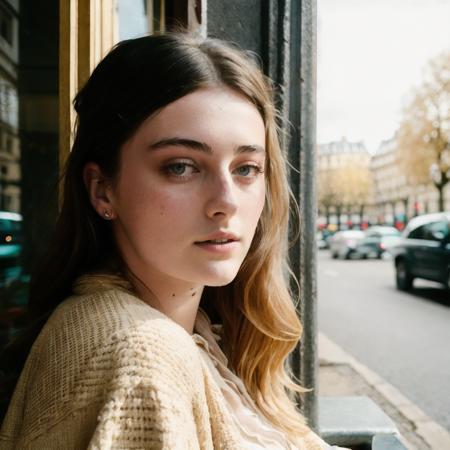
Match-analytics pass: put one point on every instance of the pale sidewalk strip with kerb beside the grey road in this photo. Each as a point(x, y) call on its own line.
point(340, 374)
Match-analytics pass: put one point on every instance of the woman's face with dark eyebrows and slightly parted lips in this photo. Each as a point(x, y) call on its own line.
point(190, 175)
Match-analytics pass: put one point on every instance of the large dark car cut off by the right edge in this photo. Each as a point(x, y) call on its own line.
point(424, 251)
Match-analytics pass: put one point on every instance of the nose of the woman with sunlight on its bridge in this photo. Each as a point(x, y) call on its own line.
point(221, 198)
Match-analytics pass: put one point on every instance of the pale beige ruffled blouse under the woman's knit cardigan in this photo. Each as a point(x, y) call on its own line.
point(255, 429)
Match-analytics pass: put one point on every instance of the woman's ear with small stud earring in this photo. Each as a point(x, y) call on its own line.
point(98, 190)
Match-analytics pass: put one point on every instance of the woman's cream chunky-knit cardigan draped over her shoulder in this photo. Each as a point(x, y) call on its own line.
point(110, 372)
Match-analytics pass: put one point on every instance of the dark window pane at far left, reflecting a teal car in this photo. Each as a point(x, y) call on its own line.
point(28, 147)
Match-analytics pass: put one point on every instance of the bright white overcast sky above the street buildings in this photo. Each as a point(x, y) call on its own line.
point(370, 53)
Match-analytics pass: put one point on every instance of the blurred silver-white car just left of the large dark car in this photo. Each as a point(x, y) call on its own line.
point(377, 240)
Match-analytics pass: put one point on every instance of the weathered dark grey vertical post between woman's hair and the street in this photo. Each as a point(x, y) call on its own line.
point(302, 116)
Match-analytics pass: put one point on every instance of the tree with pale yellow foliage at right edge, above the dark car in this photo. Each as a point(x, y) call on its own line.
point(423, 137)
